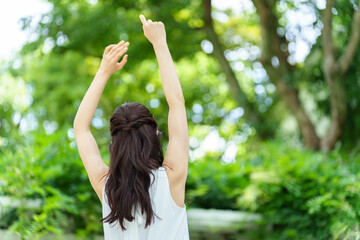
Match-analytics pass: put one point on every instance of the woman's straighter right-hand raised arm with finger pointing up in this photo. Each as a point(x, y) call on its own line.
point(177, 153)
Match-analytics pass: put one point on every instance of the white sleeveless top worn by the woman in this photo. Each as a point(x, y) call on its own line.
point(172, 224)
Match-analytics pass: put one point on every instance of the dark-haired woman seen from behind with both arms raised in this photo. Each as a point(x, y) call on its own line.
point(142, 193)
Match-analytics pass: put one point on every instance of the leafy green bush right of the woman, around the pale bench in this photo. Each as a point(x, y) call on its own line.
point(301, 194)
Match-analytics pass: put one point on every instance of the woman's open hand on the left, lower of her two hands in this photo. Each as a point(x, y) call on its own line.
point(110, 62)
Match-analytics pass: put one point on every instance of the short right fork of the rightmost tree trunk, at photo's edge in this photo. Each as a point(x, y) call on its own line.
point(348, 54)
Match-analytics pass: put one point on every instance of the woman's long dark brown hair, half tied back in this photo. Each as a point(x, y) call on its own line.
point(135, 149)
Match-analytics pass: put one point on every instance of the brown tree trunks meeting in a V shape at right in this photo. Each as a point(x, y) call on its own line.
point(333, 70)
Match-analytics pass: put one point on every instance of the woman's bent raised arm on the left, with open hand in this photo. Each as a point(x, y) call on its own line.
point(86, 144)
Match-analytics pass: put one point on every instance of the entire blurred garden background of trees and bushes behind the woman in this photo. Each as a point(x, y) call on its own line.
point(272, 98)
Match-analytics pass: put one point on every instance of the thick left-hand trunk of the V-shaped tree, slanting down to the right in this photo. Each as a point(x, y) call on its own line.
point(270, 47)
